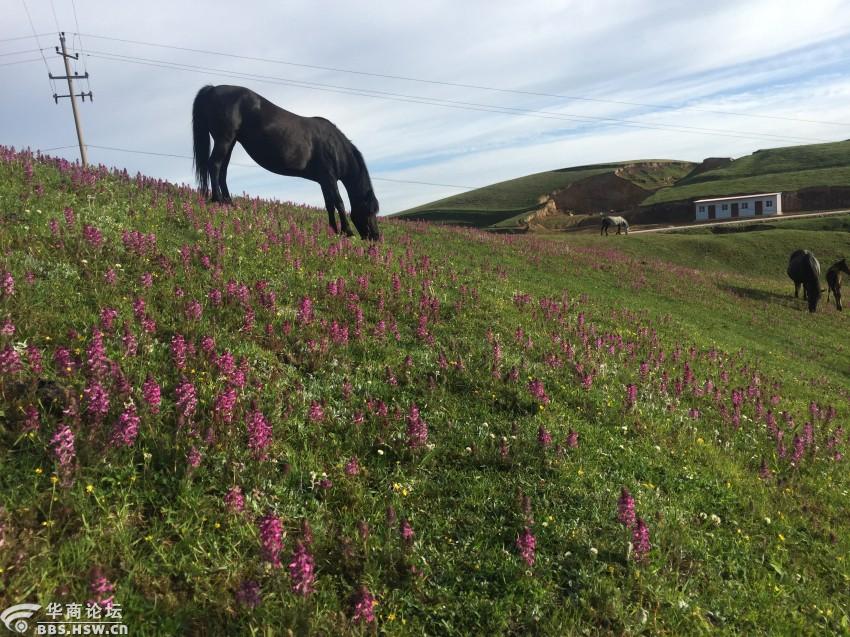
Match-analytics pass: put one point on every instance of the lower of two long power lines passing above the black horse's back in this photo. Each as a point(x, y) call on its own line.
point(455, 104)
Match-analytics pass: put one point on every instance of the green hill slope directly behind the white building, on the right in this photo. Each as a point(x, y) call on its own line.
point(777, 169)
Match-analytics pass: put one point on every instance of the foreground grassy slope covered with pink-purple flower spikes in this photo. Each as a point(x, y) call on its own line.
point(230, 421)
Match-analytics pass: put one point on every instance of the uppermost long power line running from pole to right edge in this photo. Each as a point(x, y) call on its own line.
point(479, 87)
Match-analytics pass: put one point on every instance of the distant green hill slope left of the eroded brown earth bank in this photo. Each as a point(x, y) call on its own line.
point(501, 203)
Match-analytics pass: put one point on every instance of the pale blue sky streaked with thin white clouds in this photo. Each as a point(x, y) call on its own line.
point(440, 96)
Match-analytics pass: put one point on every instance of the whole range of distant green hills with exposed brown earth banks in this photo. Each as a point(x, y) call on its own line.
point(812, 177)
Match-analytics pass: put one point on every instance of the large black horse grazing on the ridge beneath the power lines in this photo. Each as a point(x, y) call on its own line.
point(284, 143)
